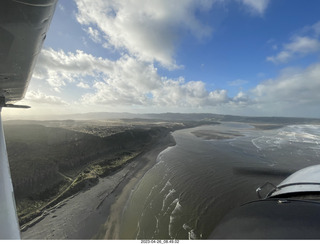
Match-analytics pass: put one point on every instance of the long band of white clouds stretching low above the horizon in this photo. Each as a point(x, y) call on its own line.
point(131, 82)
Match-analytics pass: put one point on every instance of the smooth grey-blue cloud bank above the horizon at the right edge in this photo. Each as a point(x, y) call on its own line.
point(295, 92)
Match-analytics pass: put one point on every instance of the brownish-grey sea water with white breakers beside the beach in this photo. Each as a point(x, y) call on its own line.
point(200, 179)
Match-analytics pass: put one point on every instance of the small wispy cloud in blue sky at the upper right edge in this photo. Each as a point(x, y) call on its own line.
point(300, 45)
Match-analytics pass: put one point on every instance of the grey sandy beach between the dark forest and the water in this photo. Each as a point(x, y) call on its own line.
point(95, 213)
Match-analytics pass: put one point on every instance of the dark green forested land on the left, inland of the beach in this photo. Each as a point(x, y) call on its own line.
point(49, 164)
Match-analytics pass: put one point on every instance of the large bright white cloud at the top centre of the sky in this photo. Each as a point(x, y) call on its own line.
point(148, 30)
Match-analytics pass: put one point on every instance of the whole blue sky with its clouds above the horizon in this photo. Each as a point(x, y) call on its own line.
point(238, 57)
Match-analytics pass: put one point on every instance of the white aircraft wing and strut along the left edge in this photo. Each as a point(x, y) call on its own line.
point(23, 28)
